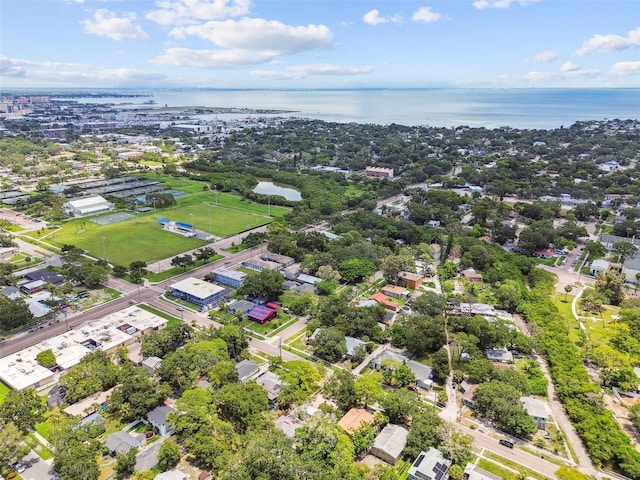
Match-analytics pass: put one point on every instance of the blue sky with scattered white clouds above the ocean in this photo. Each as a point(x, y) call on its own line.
point(319, 43)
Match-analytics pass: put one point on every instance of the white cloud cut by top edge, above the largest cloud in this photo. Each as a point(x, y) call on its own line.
point(180, 12)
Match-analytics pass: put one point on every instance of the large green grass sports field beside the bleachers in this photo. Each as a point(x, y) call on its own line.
point(142, 238)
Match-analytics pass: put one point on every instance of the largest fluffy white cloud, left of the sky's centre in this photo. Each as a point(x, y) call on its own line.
point(243, 43)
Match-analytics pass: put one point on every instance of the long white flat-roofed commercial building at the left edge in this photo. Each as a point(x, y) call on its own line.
point(21, 370)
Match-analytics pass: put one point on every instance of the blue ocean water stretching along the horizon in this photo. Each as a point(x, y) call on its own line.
point(490, 108)
